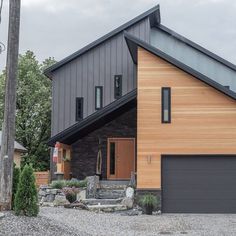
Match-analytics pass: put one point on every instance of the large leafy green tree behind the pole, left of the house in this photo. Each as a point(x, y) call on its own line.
point(33, 109)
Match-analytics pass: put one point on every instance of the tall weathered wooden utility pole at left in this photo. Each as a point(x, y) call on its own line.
point(8, 132)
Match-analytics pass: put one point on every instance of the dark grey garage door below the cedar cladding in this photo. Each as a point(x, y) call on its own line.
point(199, 184)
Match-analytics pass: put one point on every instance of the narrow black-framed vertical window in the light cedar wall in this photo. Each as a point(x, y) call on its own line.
point(166, 105)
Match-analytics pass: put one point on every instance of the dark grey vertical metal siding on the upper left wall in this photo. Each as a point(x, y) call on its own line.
point(96, 67)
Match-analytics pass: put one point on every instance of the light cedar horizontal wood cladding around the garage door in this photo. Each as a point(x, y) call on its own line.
point(203, 120)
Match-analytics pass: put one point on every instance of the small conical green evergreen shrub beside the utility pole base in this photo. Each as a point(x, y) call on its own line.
point(26, 199)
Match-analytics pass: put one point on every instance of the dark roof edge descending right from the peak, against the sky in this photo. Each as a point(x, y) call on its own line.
point(195, 46)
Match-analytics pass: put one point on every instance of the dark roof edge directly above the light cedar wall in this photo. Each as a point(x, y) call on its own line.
point(133, 44)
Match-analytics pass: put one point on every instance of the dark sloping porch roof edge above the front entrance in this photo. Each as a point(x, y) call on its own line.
point(97, 119)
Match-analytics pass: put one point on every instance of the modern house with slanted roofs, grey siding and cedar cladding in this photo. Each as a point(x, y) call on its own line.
point(145, 100)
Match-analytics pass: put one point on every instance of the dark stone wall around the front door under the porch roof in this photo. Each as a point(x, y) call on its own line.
point(84, 151)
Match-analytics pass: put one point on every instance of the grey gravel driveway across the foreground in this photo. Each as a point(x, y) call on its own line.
point(60, 221)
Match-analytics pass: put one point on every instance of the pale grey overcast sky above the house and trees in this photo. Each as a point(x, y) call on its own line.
point(58, 28)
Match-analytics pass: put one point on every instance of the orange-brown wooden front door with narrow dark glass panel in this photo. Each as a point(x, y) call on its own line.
point(120, 158)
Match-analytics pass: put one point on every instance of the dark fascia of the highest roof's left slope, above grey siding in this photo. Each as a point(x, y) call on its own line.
point(153, 14)
